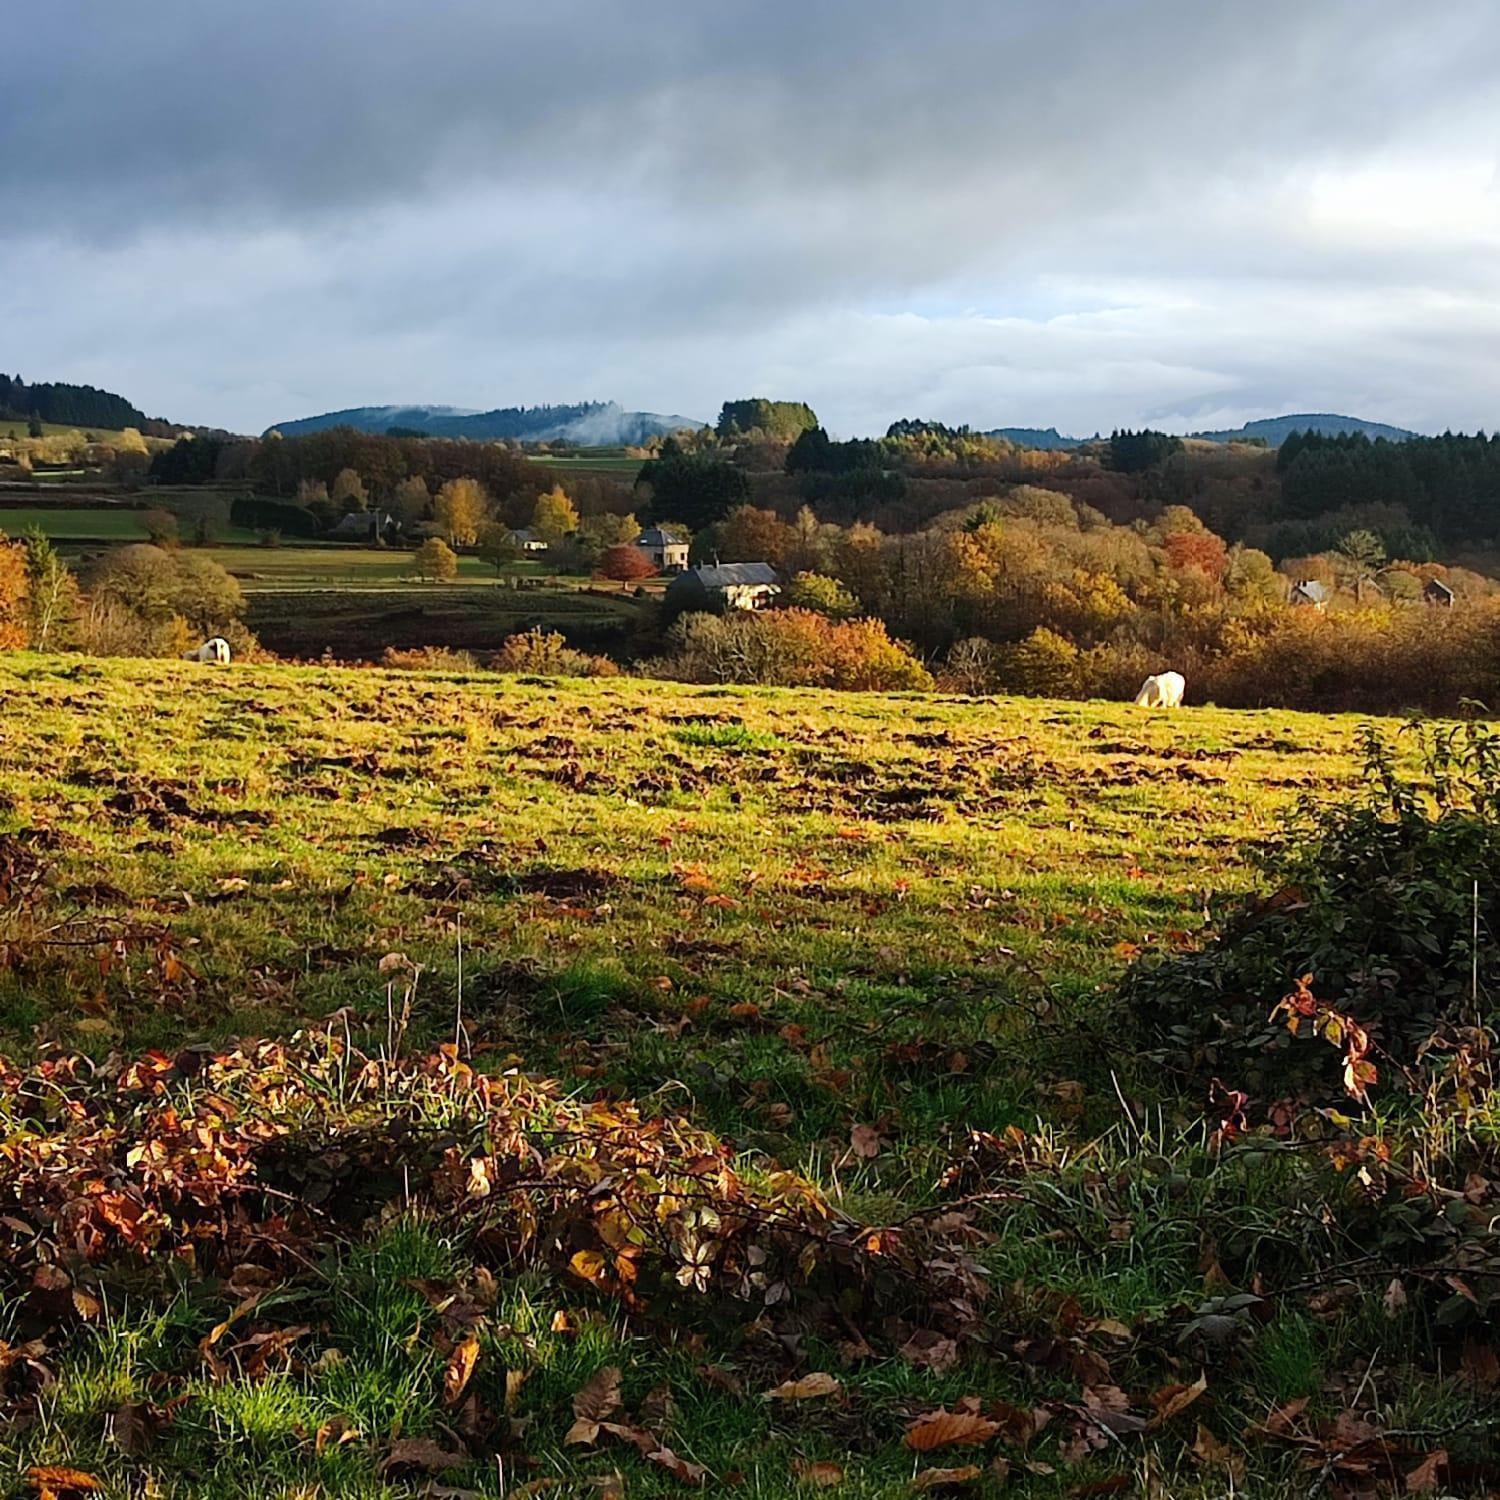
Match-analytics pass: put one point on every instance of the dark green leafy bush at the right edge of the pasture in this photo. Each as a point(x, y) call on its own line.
point(1390, 902)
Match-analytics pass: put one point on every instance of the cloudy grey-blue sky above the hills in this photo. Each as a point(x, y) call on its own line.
point(1075, 214)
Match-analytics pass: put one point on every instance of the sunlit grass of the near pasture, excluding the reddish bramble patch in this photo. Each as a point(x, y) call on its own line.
point(838, 932)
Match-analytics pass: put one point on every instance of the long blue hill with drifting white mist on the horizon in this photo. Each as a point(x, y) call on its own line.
point(590, 424)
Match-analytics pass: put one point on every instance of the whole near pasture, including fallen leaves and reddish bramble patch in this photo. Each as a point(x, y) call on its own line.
point(428, 1085)
